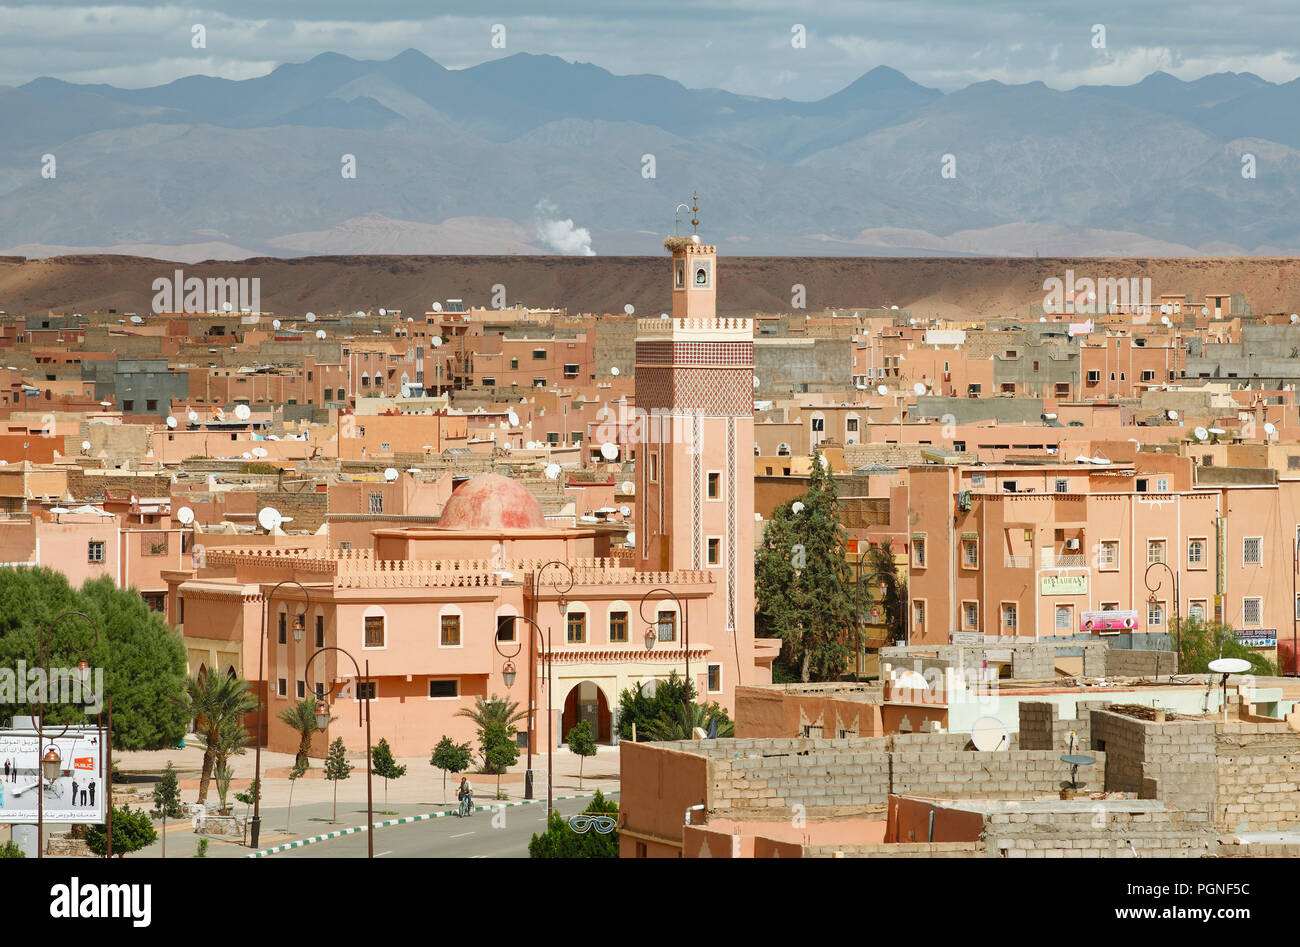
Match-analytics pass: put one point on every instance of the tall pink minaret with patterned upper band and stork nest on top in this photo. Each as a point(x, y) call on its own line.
point(695, 384)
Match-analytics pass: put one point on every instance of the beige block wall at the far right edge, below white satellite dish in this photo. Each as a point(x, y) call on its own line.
point(1259, 777)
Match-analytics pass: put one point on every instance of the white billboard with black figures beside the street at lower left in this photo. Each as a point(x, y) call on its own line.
point(75, 795)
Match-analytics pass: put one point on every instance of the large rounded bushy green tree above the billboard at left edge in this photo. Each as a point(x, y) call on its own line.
point(142, 656)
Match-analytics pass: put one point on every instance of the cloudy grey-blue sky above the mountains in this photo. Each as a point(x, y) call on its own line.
point(743, 46)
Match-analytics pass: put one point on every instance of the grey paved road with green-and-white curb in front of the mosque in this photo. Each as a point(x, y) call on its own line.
point(448, 838)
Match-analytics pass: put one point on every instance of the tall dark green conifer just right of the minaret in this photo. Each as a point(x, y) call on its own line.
point(801, 582)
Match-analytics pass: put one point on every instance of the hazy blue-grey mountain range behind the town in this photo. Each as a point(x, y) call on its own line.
point(532, 154)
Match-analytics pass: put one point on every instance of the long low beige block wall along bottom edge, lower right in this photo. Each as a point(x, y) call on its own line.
point(1100, 834)
